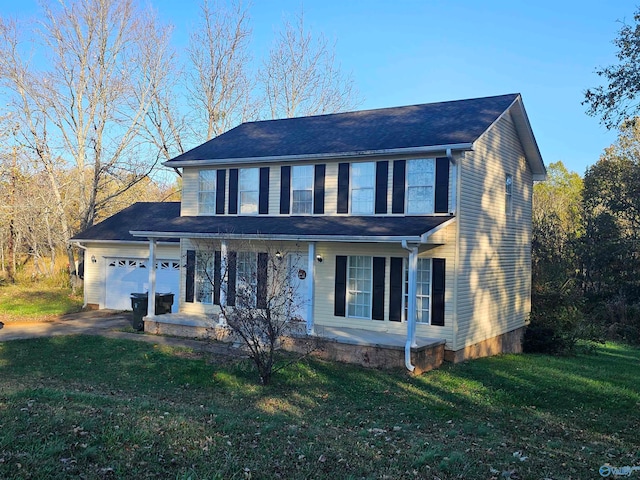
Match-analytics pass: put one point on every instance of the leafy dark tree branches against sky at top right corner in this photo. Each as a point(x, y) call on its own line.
point(617, 100)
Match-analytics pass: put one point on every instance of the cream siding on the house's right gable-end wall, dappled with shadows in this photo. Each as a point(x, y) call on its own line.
point(494, 272)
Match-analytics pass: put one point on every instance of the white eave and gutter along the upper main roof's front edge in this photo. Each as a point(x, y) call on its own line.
point(322, 156)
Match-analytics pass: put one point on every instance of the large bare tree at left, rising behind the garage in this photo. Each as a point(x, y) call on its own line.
point(83, 100)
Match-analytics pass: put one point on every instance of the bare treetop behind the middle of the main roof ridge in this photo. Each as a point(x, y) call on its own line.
point(302, 77)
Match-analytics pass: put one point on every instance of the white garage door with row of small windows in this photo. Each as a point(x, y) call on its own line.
point(125, 276)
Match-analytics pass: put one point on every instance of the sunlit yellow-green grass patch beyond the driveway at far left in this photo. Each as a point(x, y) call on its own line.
point(26, 301)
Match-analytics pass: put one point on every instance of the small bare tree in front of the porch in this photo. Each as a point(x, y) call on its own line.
point(260, 301)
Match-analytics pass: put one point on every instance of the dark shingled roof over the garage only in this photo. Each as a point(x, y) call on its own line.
point(138, 216)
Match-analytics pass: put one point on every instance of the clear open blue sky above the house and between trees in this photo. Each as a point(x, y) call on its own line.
point(406, 52)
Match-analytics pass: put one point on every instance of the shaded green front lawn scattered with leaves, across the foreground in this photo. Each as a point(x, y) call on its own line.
point(94, 408)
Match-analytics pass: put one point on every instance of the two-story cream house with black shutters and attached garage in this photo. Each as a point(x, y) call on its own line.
point(412, 225)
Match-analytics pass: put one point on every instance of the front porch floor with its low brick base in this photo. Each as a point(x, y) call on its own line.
point(373, 349)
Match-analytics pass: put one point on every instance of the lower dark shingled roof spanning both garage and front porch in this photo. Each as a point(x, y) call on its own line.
point(161, 218)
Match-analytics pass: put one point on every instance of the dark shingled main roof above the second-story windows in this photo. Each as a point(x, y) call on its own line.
point(431, 124)
